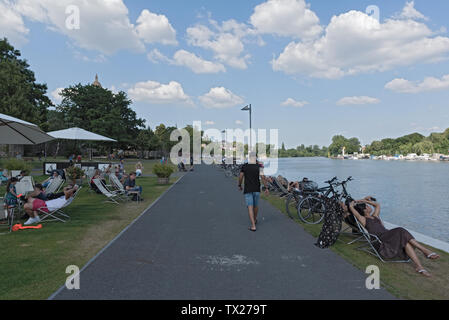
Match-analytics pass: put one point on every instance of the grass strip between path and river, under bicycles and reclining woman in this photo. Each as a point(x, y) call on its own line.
point(400, 279)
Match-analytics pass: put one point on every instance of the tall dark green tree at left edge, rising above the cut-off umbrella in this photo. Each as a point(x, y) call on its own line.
point(20, 95)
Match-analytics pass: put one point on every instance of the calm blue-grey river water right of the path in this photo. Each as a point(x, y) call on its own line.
point(413, 194)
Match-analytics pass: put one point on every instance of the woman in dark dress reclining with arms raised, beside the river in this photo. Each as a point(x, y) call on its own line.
point(396, 243)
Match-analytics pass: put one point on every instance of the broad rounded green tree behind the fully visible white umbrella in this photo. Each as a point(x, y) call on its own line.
point(101, 111)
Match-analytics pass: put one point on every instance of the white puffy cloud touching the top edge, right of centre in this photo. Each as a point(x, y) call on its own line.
point(286, 18)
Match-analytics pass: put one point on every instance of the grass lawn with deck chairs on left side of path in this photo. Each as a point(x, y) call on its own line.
point(33, 262)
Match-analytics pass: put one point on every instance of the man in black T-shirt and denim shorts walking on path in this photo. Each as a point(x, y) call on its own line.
point(252, 172)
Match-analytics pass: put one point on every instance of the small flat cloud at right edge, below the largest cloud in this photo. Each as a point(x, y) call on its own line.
point(428, 84)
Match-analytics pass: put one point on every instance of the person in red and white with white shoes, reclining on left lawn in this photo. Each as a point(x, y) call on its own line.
point(33, 205)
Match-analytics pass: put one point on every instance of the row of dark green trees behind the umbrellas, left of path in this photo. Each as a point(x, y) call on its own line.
point(89, 107)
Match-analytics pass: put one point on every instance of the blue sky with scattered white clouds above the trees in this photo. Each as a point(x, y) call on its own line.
point(182, 61)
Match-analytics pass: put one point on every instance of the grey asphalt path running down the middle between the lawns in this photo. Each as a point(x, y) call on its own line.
point(194, 243)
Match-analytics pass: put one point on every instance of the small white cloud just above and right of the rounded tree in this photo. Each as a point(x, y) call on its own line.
point(157, 93)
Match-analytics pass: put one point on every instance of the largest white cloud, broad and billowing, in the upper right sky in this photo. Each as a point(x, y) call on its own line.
point(355, 43)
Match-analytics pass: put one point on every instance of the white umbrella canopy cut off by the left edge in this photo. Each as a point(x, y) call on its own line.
point(16, 131)
